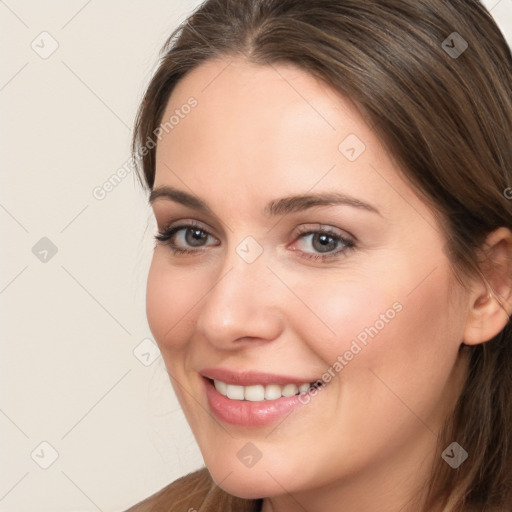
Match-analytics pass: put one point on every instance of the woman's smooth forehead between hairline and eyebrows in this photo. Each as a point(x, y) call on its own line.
point(256, 130)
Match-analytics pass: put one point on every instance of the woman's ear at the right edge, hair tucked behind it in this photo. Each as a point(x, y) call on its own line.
point(490, 299)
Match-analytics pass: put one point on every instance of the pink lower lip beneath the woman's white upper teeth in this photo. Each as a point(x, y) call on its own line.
point(246, 413)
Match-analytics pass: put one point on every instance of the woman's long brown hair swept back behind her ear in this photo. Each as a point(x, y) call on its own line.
point(441, 103)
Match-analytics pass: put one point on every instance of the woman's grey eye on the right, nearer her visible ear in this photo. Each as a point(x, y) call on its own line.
point(326, 243)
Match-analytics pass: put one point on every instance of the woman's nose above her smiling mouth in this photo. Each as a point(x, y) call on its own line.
point(244, 304)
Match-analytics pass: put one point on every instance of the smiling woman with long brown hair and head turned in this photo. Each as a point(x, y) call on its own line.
point(331, 282)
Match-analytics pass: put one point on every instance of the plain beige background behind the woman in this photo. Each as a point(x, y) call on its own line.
point(88, 420)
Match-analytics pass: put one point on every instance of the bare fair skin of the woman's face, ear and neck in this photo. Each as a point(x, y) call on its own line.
point(367, 440)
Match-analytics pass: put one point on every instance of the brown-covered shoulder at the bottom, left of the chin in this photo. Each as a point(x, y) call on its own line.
point(195, 492)
